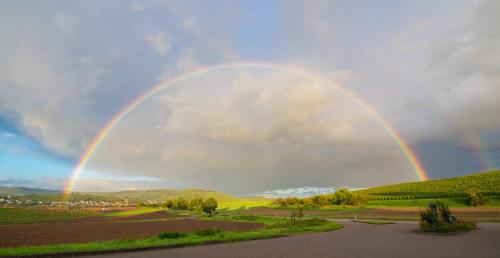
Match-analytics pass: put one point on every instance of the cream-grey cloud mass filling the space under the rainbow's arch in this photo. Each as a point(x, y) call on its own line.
point(244, 130)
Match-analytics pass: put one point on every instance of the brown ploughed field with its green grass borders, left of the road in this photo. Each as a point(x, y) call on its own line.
point(139, 229)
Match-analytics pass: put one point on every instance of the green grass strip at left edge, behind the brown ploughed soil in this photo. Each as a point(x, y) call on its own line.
point(30, 215)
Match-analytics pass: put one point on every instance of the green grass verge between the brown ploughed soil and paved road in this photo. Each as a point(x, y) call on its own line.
point(275, 227)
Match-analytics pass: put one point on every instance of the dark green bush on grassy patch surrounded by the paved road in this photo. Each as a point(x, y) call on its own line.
point(439, 219)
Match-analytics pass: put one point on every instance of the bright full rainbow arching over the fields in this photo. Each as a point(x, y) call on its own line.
point(408, 153)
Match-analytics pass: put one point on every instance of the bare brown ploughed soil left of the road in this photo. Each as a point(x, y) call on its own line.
point(108, 228)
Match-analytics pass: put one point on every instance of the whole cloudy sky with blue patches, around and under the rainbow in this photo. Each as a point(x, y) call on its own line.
point(431, 69)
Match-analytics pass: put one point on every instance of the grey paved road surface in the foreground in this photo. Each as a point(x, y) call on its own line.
point(354, 240)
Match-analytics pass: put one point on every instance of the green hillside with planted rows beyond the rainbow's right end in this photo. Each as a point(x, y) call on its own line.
point(488, 182)
